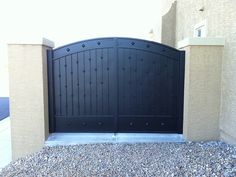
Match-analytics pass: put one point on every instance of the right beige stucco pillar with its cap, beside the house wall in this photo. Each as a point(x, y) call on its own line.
point(202, 90)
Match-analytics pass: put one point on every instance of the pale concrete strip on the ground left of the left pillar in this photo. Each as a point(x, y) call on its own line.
point(5, 142)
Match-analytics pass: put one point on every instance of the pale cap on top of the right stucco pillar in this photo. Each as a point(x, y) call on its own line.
point(200, 42)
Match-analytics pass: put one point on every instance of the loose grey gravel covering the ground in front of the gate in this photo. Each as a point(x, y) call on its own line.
point(150, 159)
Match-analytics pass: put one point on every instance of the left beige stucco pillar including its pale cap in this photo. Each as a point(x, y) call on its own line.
point(28, 95)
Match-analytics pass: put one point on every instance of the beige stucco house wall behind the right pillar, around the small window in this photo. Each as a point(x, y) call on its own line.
point(221, 22)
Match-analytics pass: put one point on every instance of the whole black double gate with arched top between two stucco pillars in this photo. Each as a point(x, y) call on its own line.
point(116, 85)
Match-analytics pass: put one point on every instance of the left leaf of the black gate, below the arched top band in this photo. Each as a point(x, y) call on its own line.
point(84, 91)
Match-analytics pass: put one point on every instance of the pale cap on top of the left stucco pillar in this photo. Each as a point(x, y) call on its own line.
point(33, 41)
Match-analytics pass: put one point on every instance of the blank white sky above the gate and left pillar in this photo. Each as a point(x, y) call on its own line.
point(67, 21)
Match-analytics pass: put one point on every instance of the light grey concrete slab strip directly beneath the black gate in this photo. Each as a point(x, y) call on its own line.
point(87, 138)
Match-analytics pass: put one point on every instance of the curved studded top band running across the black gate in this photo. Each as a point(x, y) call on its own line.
point(115, 42)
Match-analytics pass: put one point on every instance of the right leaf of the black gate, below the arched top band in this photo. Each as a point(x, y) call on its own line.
point(147, 91)
